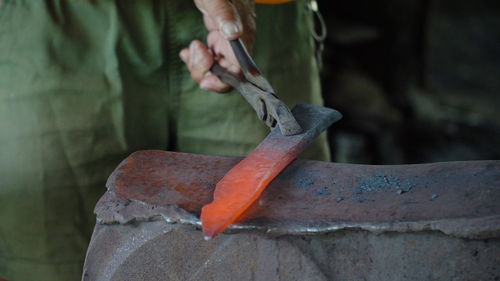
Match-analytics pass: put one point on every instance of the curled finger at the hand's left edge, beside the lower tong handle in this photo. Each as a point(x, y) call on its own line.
point(199, 60)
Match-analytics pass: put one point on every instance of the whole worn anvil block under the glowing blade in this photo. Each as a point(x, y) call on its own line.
point(316, 221)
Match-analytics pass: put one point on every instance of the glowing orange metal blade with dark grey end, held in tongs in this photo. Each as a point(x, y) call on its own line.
point(245, 182)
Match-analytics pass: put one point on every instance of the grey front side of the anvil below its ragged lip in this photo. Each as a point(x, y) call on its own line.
point(156, 250)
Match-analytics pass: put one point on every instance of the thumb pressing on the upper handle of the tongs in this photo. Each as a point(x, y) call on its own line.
point(224, 15)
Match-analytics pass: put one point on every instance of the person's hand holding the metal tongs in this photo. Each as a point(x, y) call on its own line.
point(224, 21)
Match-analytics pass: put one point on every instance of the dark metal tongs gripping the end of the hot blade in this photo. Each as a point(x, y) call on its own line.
point(258, 92)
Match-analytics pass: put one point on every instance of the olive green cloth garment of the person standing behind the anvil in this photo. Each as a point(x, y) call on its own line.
point(85, 83)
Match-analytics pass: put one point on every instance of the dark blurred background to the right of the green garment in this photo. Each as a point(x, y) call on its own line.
point(417, 80)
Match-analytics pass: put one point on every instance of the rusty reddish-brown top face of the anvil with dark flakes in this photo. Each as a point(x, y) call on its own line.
point(457, 198)
